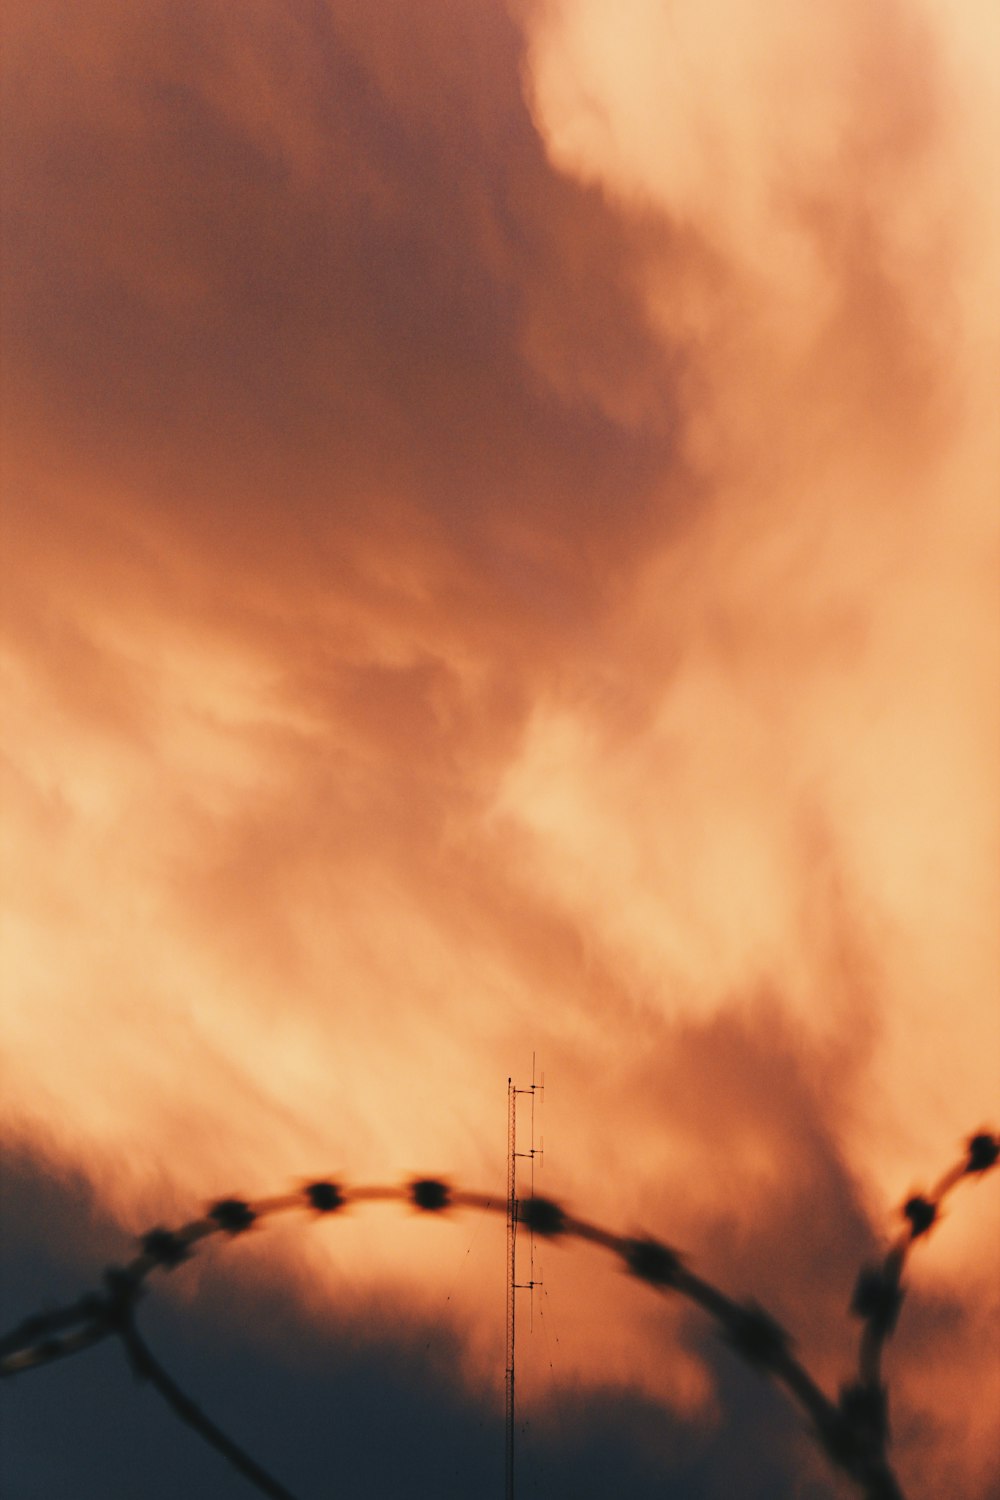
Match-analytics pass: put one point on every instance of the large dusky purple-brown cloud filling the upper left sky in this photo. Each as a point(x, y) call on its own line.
point(286, 310)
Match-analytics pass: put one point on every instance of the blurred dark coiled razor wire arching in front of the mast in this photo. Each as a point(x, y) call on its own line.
point(852, 1430)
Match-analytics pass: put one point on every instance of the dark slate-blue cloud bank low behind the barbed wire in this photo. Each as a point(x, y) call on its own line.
point(317, 1402)
